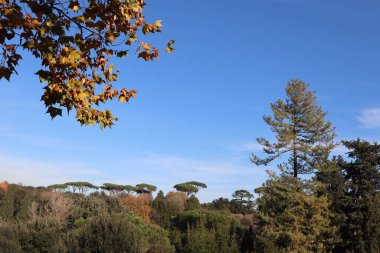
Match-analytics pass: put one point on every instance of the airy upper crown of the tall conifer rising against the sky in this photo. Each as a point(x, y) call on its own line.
point(301, 132)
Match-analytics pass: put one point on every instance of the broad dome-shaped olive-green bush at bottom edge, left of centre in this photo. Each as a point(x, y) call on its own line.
point(120, 233)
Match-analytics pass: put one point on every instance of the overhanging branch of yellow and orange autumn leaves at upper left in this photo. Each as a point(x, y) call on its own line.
point(75, 41)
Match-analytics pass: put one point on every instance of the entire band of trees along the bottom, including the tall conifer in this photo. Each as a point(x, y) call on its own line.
point(312, 201)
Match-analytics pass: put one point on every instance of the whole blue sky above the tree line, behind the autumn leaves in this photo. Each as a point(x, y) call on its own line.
point(199, 110)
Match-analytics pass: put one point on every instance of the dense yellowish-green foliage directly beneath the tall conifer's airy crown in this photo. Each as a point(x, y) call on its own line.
point(293, 218)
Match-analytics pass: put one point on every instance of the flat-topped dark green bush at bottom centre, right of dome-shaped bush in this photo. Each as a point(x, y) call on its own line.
point(205, 231)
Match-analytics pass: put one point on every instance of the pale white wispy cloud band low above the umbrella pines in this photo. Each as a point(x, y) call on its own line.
point(222, 177)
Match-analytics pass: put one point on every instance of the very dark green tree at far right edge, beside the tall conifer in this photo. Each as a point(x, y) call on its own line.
point(353, 187)
